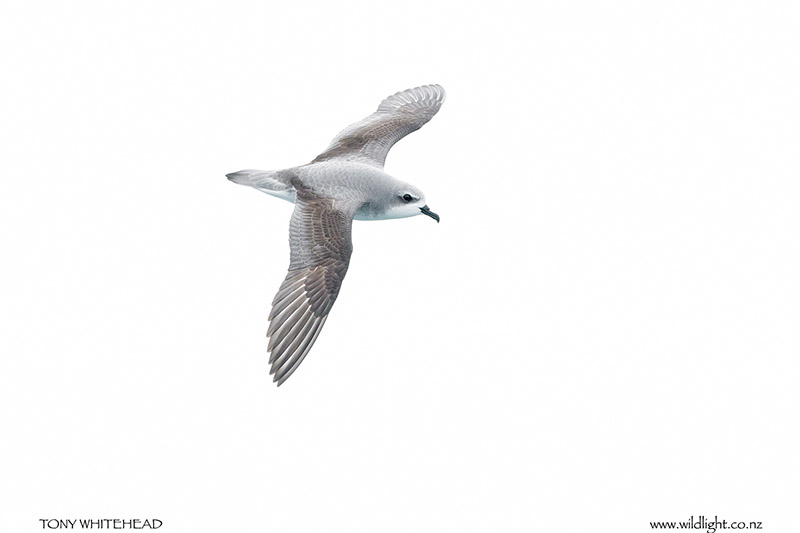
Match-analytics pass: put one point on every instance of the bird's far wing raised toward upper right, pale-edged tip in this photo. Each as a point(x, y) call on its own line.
point(398, 115)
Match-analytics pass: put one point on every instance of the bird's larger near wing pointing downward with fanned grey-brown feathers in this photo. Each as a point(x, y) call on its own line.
point(319, 236)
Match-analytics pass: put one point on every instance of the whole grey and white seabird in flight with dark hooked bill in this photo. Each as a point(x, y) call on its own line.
point(343, 183)
